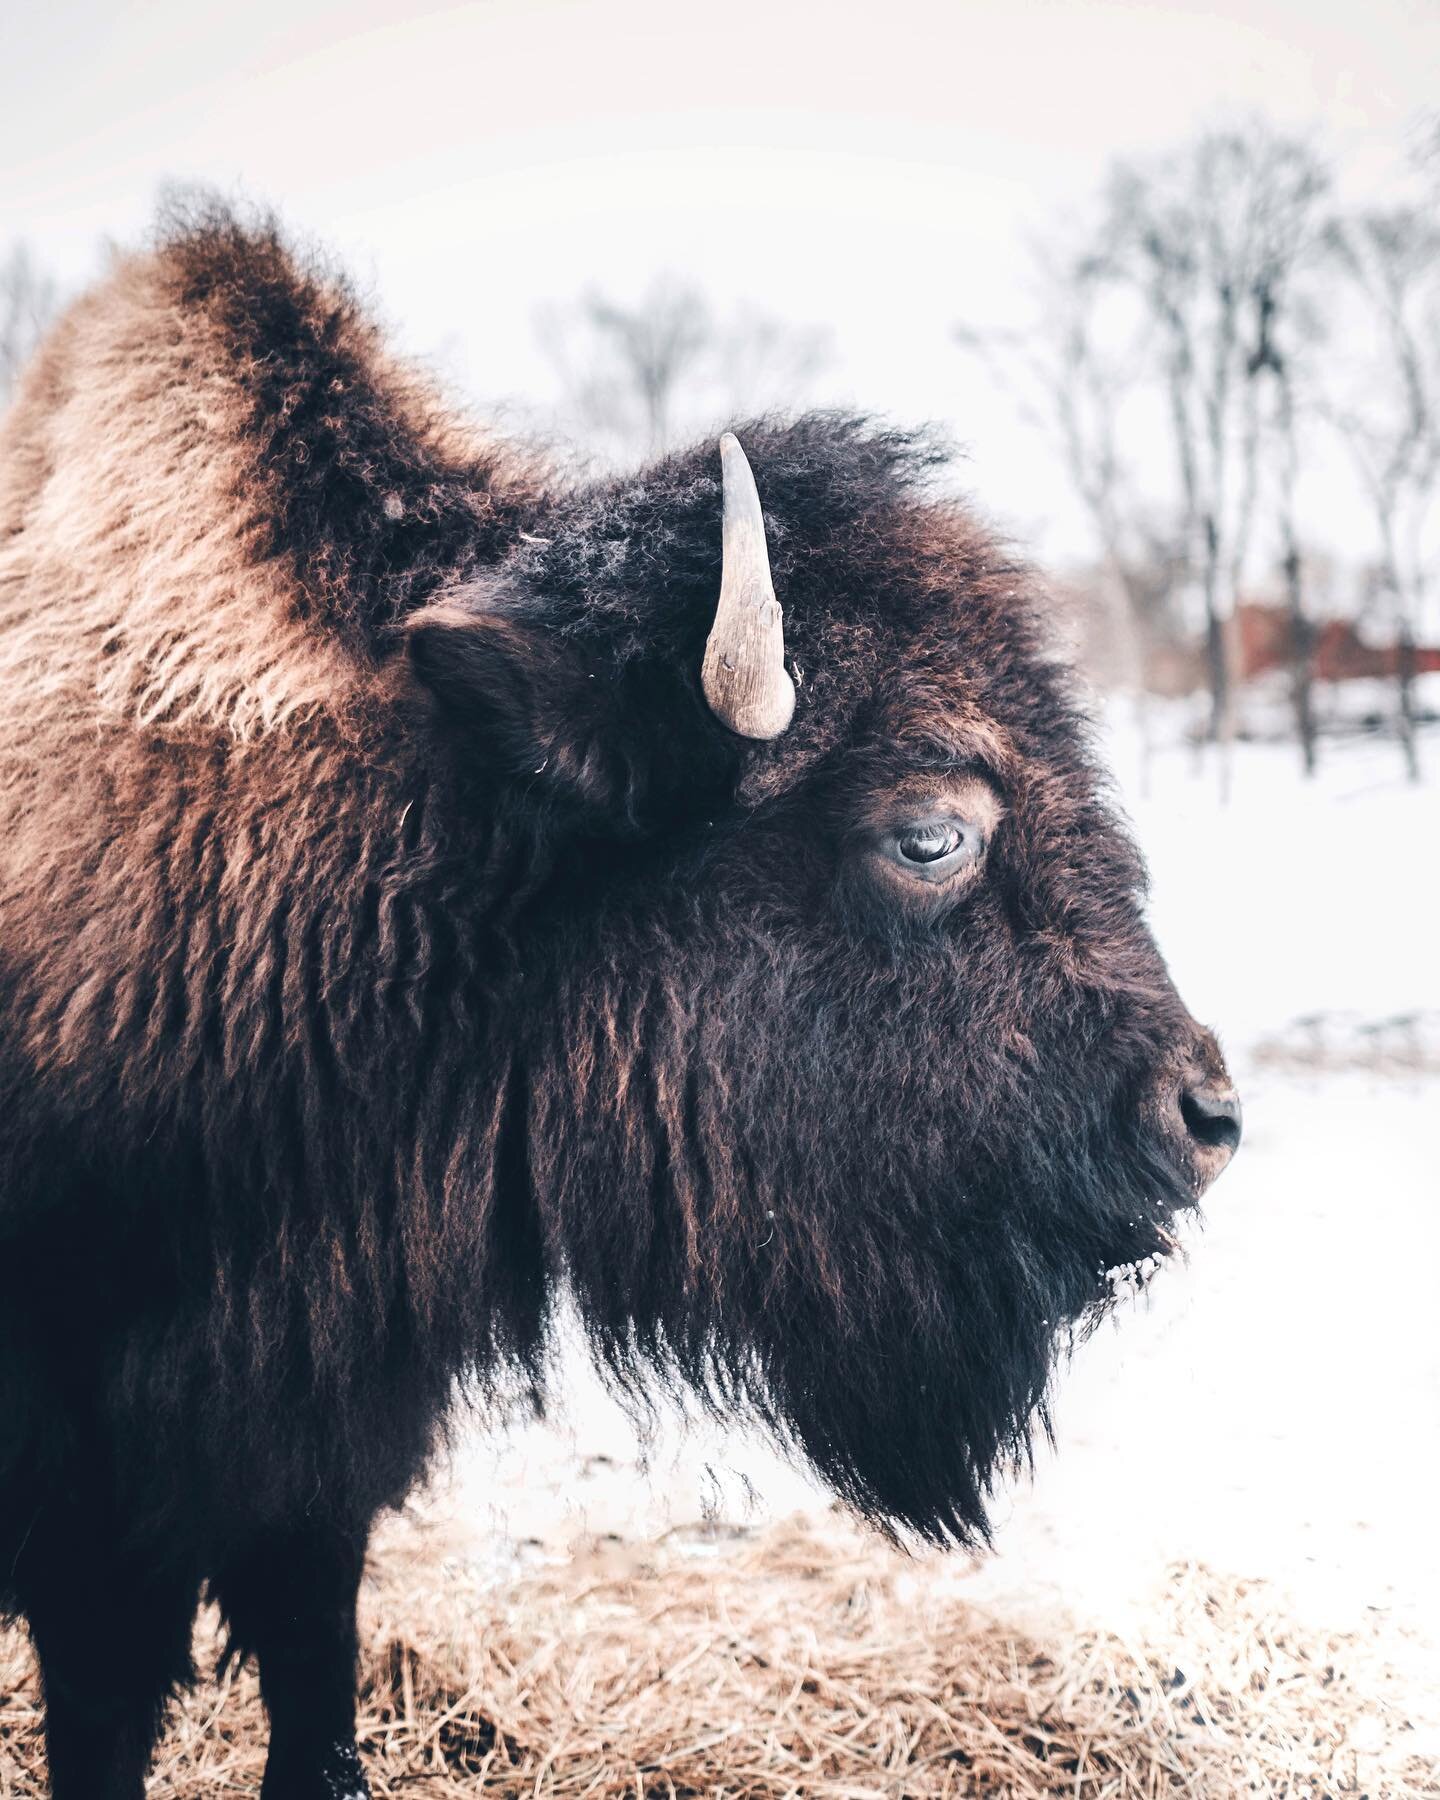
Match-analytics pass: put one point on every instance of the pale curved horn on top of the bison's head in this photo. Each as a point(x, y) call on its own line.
point(744, 672)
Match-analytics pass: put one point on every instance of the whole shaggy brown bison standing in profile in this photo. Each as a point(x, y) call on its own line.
point(431, 886)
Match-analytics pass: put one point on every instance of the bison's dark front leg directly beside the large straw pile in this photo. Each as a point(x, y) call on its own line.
point(291, 1605)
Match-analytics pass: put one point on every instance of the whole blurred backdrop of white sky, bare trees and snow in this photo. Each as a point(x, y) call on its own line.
point(1169, 276)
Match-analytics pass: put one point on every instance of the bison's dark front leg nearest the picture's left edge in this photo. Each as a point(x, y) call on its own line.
point(114, 1644)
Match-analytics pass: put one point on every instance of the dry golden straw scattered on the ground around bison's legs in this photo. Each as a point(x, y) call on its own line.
point(805, 1662)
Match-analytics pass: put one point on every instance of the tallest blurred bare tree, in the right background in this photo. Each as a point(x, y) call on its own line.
point(1210, 238)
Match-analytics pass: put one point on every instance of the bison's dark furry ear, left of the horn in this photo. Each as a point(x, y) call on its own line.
point(537, 710)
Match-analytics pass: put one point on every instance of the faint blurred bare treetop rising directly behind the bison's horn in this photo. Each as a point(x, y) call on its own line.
point(638, 377)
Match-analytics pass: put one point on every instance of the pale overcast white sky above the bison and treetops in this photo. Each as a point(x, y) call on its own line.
point(870, 166)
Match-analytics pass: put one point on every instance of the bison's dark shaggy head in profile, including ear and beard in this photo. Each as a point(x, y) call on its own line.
point(852, 1072)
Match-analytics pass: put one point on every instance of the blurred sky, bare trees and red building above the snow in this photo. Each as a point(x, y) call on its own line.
point(1169, 276)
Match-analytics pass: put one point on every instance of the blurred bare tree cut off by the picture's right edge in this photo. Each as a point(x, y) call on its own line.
point(1387, 408)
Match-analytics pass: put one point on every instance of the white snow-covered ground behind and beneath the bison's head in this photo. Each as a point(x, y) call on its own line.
point(1272, 1407)
